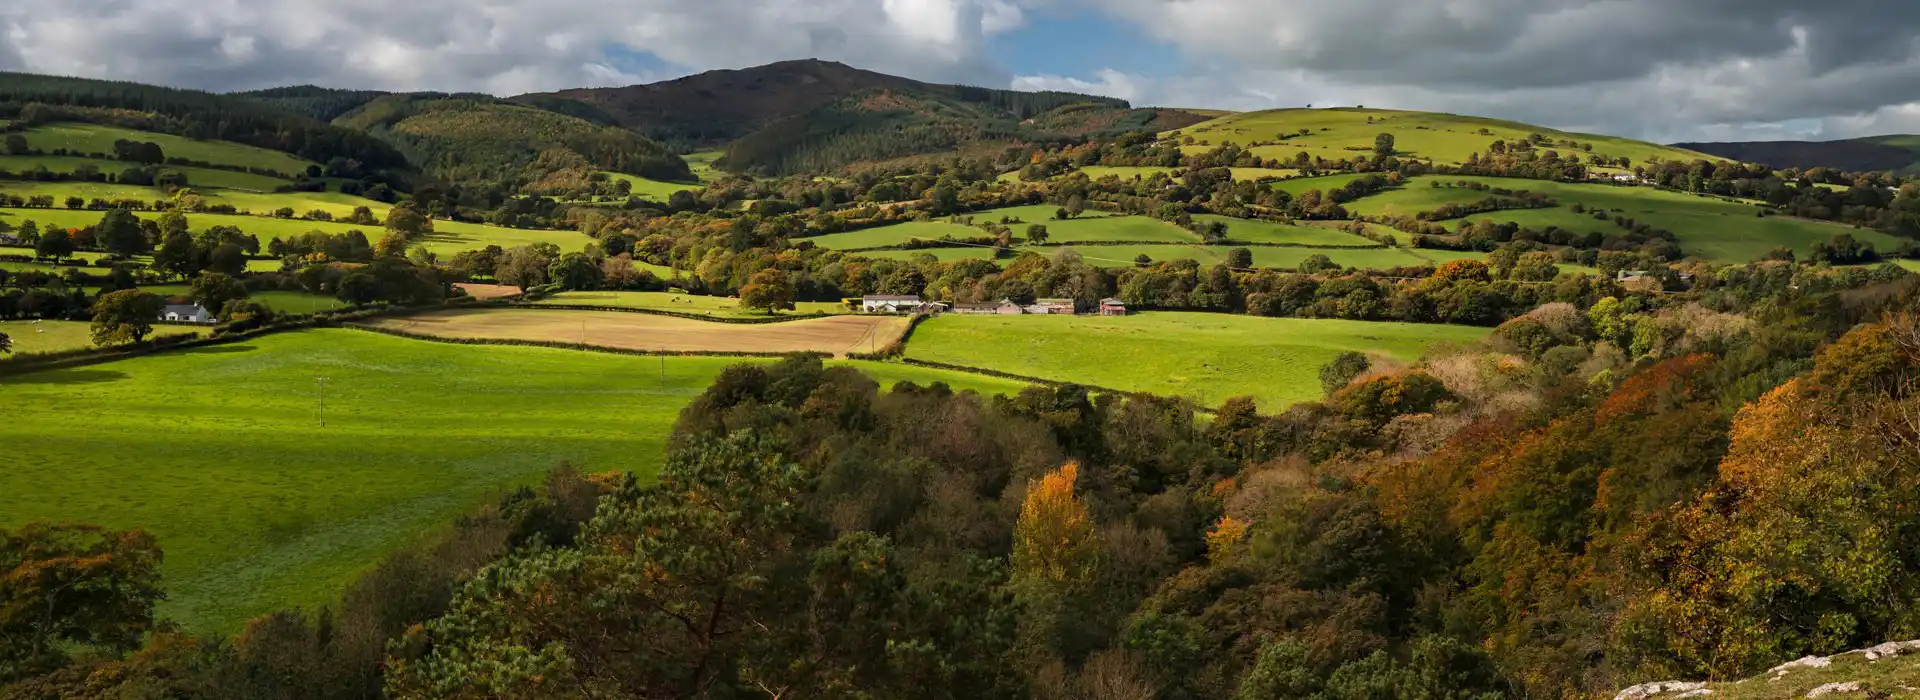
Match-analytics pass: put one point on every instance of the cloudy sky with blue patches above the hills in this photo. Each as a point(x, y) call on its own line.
point(1658, 70)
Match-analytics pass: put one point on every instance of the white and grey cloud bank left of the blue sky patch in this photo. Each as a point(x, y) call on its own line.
point(502, 47)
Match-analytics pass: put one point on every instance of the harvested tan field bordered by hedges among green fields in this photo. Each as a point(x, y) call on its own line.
point(648, 333)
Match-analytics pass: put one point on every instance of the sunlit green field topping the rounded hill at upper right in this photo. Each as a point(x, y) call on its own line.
point(1445, 139)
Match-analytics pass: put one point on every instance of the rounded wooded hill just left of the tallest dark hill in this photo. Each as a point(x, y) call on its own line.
point(473, 137)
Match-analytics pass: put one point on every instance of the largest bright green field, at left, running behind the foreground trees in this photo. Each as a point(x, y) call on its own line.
point(220, 454)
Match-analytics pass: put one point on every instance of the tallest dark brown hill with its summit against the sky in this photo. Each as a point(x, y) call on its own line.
point(813, 116)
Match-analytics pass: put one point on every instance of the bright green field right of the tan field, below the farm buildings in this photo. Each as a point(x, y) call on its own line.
point(1207, 358)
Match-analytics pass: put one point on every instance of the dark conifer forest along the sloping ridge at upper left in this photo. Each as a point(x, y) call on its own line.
point(41, 99)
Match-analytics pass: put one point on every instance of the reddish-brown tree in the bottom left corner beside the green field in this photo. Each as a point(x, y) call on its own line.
point(70, 588)
